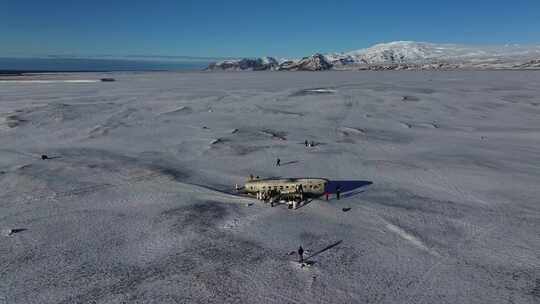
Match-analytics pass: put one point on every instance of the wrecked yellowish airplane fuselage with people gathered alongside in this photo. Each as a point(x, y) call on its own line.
point(293, 191)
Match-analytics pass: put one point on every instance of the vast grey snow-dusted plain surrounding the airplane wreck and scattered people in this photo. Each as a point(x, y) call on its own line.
point(134, 205)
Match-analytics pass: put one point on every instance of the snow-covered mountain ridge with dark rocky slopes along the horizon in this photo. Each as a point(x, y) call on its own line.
point(400, 55)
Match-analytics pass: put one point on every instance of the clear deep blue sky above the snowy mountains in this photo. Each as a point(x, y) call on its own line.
point(239, 28)
